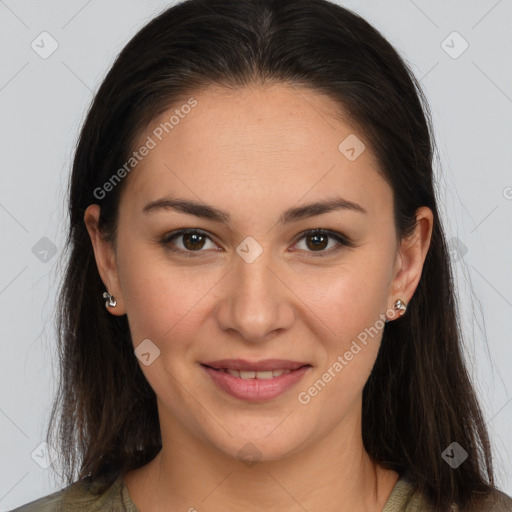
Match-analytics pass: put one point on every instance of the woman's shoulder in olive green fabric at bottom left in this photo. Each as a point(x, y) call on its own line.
point(82, 496)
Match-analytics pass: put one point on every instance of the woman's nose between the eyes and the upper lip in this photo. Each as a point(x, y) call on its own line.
point(255, 303)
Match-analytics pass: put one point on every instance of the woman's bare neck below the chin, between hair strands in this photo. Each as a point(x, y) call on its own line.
point(333, 473)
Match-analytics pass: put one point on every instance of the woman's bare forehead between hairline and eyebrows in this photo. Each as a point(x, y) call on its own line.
point(264, 142)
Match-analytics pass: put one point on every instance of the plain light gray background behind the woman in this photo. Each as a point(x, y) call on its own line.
point(43, 102)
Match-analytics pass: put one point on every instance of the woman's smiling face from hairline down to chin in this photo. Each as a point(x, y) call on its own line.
point(257, 284)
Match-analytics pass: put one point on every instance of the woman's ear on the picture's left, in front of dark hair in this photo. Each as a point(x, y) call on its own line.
point(104, 254)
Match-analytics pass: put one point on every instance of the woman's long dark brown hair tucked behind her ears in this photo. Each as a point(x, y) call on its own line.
point(418, 398)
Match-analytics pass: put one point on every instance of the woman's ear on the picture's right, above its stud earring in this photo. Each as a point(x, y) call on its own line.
point(411, 256)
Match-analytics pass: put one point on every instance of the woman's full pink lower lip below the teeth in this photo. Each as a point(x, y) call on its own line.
point(255, 390)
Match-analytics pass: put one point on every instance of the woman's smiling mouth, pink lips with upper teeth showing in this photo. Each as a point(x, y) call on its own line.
point(255, 381)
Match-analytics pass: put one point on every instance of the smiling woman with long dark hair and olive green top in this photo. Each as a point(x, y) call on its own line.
point(252, 200)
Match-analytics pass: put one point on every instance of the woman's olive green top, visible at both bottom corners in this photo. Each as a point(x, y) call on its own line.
point(80, 497)
